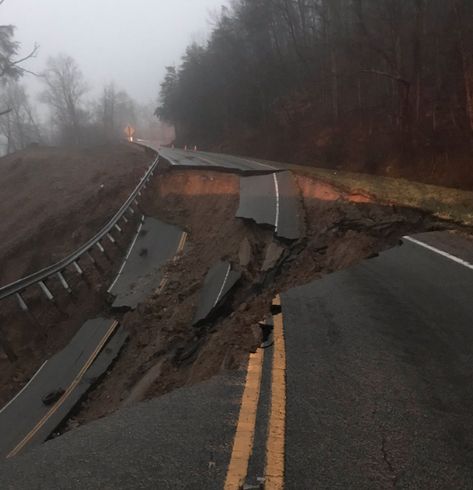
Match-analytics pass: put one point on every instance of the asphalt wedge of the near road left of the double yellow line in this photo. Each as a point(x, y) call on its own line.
point(182, 440)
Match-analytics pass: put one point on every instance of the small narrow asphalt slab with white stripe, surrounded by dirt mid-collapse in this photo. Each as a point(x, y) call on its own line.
point(220, 279)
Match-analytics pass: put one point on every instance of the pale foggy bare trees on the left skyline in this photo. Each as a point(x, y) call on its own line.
point(71, 116)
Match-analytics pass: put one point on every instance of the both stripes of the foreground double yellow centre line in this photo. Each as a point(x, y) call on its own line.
point(244, 435)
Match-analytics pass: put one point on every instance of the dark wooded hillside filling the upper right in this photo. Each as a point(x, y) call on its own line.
point(378, 86)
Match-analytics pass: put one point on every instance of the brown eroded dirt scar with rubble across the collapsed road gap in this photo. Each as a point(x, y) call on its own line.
point(164, 351)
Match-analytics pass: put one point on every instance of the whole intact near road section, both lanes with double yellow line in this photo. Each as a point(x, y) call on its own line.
point(352, 375)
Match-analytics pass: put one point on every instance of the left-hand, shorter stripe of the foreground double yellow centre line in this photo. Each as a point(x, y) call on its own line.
point(244, 436)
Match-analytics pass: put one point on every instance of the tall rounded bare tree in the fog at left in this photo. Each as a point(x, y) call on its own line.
point(65, 88)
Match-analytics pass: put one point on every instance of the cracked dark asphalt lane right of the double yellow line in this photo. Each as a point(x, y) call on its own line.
point(380, 375)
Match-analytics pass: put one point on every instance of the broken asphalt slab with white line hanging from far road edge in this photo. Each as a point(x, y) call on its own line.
point(272, 200)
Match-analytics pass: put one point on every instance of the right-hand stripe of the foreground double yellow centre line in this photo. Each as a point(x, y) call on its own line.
point(274, 471)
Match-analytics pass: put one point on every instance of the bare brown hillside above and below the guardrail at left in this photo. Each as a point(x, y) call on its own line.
point(52, 202)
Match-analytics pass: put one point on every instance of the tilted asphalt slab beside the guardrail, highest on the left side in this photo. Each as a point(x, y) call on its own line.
point(156, 242)
